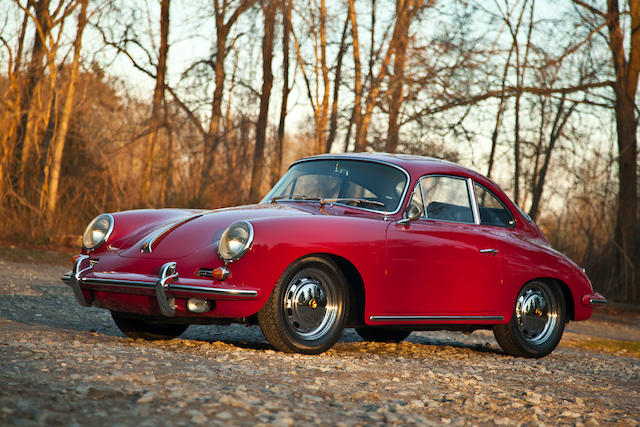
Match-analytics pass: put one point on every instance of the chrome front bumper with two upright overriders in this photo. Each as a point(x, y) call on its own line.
point(165, 283)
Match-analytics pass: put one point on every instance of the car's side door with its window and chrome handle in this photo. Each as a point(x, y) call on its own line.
point(444, 265)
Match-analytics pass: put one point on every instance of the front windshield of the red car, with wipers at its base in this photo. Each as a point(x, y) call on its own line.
point(361, 184)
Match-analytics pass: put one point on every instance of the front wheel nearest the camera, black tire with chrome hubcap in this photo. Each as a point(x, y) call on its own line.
point(307, 309)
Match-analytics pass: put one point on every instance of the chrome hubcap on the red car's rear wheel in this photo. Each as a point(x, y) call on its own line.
point(537, 314)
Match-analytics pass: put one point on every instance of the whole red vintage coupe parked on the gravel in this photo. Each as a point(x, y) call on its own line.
point(383, 243)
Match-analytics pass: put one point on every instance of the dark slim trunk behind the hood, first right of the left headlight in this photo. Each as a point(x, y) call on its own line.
point(158, 96)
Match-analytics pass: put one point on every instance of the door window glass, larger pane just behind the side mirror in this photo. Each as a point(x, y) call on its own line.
point(446, 198)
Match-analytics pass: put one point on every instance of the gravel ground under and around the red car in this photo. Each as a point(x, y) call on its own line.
point(61, 364)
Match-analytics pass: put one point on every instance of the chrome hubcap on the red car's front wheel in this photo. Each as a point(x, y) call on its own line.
point(309, 308)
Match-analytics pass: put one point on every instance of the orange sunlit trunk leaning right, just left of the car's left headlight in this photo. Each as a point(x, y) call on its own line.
point(61, 134)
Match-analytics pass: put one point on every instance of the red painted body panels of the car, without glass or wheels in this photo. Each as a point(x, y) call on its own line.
point(423, 268)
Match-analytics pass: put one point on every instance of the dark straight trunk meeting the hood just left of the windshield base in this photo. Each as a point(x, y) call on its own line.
point(269, 11)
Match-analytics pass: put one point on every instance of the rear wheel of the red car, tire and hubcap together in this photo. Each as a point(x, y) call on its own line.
point(537, 323)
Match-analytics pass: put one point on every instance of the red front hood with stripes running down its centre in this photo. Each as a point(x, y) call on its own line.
point(193, 231)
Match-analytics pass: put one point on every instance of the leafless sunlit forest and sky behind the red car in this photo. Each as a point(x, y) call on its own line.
point(110, 105)
